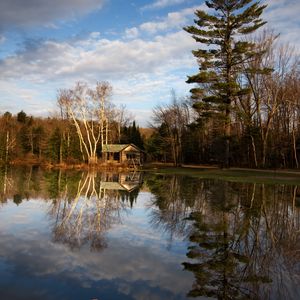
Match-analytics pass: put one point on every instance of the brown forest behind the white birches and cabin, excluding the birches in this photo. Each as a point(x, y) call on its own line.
point(53, 140)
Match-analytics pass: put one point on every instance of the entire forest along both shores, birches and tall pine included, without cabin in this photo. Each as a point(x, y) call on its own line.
point(243, 109)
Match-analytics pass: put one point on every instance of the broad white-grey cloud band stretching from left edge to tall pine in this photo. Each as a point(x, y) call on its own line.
point(109, 58)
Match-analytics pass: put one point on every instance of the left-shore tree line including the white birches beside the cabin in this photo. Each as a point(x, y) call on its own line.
point(74, 136)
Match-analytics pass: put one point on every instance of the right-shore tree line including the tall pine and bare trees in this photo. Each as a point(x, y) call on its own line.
point(244, 104)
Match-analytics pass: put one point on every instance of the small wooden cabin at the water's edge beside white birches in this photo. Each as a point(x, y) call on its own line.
point(124, 154)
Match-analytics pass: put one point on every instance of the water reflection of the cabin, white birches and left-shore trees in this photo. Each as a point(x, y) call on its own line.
point(84, 205)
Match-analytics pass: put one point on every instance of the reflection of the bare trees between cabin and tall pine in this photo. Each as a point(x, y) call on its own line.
point(175, 197)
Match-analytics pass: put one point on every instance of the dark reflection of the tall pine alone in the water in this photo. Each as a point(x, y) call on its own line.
point(222, 265)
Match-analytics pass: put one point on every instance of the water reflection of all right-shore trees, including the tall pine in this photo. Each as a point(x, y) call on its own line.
point(243, 238)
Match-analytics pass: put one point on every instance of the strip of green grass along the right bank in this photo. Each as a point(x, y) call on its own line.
point(234, 174)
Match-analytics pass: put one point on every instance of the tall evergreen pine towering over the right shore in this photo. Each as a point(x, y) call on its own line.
point(221, 59)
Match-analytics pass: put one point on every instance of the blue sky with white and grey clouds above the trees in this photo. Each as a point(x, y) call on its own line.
point(138, 46)
